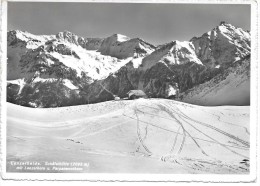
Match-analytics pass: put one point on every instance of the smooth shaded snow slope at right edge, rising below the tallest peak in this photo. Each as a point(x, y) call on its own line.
point(231, 87)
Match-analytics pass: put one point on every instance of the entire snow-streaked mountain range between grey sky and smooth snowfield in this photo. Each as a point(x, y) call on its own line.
point(65, 69)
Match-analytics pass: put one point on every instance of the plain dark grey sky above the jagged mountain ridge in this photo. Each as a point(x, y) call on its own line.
point(155, 23)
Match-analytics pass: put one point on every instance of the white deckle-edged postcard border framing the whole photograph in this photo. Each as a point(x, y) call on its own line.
point(254, 129)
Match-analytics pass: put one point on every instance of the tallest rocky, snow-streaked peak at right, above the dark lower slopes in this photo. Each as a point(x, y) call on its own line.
point(222, 45)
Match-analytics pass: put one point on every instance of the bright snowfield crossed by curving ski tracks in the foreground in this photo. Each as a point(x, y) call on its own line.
point(137, 136)
